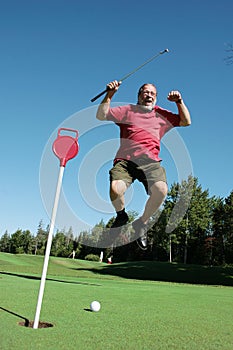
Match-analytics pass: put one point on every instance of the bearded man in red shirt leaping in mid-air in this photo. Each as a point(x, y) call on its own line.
point(141, 128)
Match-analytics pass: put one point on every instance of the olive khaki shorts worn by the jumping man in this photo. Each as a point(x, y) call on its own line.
point(144, 170)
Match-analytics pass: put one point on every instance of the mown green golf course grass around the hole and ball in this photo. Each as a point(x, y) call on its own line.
point(139, 310)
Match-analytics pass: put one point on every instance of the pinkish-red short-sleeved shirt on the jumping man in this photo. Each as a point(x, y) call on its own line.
point(140, 130)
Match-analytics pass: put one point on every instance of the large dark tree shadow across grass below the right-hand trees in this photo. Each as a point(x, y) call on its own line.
point(168, 272)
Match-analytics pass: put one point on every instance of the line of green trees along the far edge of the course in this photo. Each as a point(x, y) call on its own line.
point(204, 234)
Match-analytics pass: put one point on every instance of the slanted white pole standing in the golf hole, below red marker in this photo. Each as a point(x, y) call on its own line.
point(48, 248)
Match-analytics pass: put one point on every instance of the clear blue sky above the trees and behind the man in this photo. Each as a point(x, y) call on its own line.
point(57, 55)
